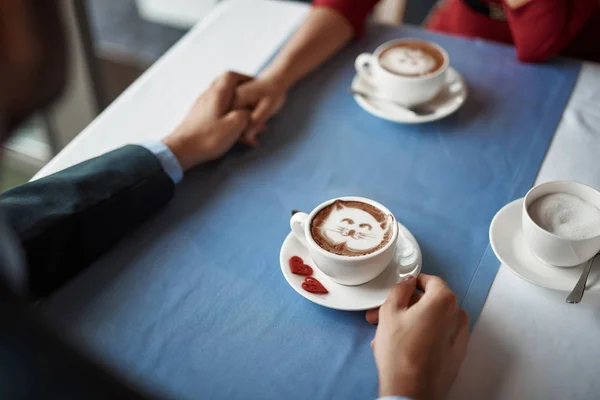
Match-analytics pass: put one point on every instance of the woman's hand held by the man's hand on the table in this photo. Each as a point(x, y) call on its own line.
point(264, 96)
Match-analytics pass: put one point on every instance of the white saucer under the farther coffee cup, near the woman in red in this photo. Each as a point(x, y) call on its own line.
point(451, 98)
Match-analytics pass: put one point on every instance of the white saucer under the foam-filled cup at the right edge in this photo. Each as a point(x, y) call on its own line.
point(508, 242)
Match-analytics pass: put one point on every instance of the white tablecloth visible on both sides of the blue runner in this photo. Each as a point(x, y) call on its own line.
point(527, 343)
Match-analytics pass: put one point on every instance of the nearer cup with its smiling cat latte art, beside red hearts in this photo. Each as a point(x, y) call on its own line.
point(350, 239)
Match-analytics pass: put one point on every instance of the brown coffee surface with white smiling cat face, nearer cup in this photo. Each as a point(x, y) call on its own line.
point(351, 228)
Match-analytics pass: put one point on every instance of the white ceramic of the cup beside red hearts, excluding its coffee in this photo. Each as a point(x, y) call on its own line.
point(346, 270)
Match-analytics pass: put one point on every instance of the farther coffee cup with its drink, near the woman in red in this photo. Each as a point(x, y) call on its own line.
point(408, 71)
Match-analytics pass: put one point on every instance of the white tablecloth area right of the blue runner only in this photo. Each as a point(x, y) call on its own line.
point(528, 343)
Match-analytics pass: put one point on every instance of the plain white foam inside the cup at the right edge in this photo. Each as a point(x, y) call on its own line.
point(566, 215)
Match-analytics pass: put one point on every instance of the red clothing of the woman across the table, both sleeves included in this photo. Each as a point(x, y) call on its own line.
point(539, 30)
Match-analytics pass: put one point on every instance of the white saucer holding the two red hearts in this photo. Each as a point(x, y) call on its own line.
point(370, 295)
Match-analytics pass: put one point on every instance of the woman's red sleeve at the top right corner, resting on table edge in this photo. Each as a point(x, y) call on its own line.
point(543, 28)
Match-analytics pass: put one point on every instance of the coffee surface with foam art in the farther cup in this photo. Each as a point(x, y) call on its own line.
point(411, 58)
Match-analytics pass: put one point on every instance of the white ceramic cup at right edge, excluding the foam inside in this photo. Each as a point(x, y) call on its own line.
point(552, 249)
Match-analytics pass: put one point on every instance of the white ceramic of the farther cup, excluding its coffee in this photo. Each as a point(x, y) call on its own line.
point(408, 90)
